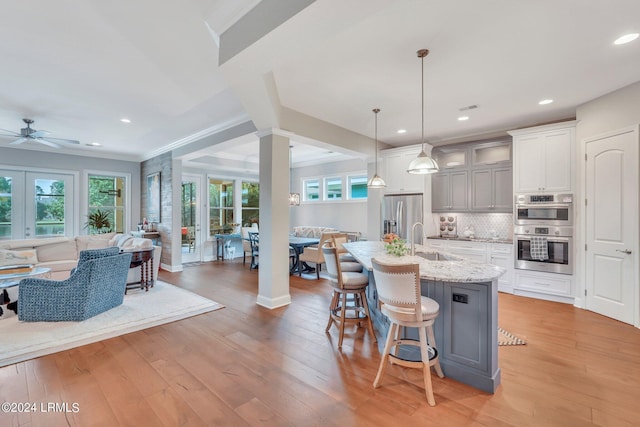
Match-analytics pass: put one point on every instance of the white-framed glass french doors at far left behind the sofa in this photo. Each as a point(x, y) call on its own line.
point(36, 204)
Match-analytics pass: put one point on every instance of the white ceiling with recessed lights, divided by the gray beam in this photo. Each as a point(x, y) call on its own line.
point(78, 66)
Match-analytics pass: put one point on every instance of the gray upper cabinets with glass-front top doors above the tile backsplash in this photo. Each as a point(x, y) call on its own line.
point(474, 177)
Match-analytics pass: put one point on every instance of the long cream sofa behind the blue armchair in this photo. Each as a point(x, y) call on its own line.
point(60, 254)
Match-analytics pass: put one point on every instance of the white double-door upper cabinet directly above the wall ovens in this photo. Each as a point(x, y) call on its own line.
point(544, 158)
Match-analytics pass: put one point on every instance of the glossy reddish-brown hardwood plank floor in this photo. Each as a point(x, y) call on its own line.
point(245, 365)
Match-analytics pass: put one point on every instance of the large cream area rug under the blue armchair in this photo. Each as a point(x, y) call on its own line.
point(162, 304)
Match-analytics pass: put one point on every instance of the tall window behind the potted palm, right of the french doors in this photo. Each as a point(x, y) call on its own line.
point(107, 194)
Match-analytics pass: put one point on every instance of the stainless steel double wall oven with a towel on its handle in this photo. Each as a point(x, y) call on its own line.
point(543, 232)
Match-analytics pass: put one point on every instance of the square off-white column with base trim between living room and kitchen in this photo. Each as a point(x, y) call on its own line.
point(273, 273)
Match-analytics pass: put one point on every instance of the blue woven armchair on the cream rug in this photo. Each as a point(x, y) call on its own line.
point(96, 285)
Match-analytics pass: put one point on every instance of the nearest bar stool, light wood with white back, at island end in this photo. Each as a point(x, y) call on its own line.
point(398, 288)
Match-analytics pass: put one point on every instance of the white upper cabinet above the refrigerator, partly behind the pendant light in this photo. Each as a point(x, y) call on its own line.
point(395, 162)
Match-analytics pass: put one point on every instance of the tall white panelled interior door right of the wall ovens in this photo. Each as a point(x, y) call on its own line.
point(612, 225)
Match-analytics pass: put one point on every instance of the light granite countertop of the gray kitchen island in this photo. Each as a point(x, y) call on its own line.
point(452, 269)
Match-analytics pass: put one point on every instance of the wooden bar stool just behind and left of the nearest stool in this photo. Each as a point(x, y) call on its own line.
point(346, 283)
